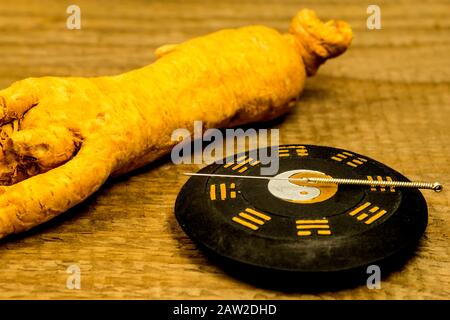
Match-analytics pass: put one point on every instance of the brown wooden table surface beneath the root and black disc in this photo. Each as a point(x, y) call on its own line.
point(388, 97)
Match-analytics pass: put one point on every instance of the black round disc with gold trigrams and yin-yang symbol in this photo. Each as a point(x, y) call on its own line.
point(284, 226)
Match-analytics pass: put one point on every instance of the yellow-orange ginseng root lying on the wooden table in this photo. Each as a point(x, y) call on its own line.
point(61, 138)
